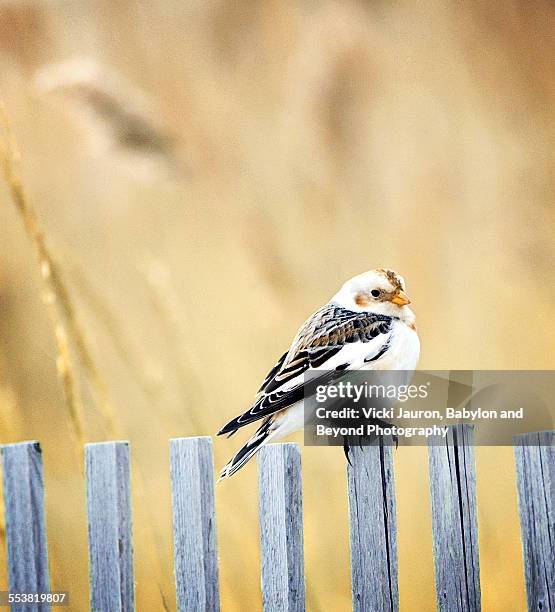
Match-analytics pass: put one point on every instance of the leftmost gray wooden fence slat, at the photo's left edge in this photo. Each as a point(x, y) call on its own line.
point(25, 521)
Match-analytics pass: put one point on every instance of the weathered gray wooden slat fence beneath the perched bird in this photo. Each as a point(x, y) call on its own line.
point(373, 532)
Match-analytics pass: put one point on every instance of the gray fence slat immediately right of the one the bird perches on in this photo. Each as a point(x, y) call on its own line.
point(454, 520)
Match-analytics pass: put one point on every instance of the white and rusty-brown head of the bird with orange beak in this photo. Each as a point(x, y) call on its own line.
point(381, 291)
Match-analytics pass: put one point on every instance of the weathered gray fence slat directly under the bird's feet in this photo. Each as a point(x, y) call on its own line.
point(373, 528)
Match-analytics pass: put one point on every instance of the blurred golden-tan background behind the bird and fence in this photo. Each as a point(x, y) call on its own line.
point(207, 174)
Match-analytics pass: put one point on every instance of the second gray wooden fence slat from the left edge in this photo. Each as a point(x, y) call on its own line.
point(109, 517)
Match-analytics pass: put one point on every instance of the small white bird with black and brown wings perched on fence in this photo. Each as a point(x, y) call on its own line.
point(367, 325)
